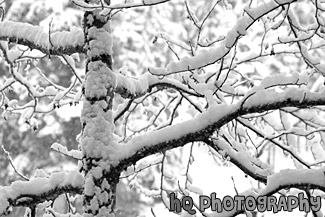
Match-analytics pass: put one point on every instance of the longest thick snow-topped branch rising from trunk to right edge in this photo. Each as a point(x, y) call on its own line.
point(204, 125)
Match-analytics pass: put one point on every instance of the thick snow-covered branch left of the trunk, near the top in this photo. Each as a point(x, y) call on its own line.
point(61, 42)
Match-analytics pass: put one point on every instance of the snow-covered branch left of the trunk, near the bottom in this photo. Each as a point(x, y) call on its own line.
point(39, 189)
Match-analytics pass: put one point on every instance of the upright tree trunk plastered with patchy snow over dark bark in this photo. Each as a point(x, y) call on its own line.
point(97, 141)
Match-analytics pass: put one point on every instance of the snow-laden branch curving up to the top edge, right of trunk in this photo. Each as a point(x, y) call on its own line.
point(207, 57)
